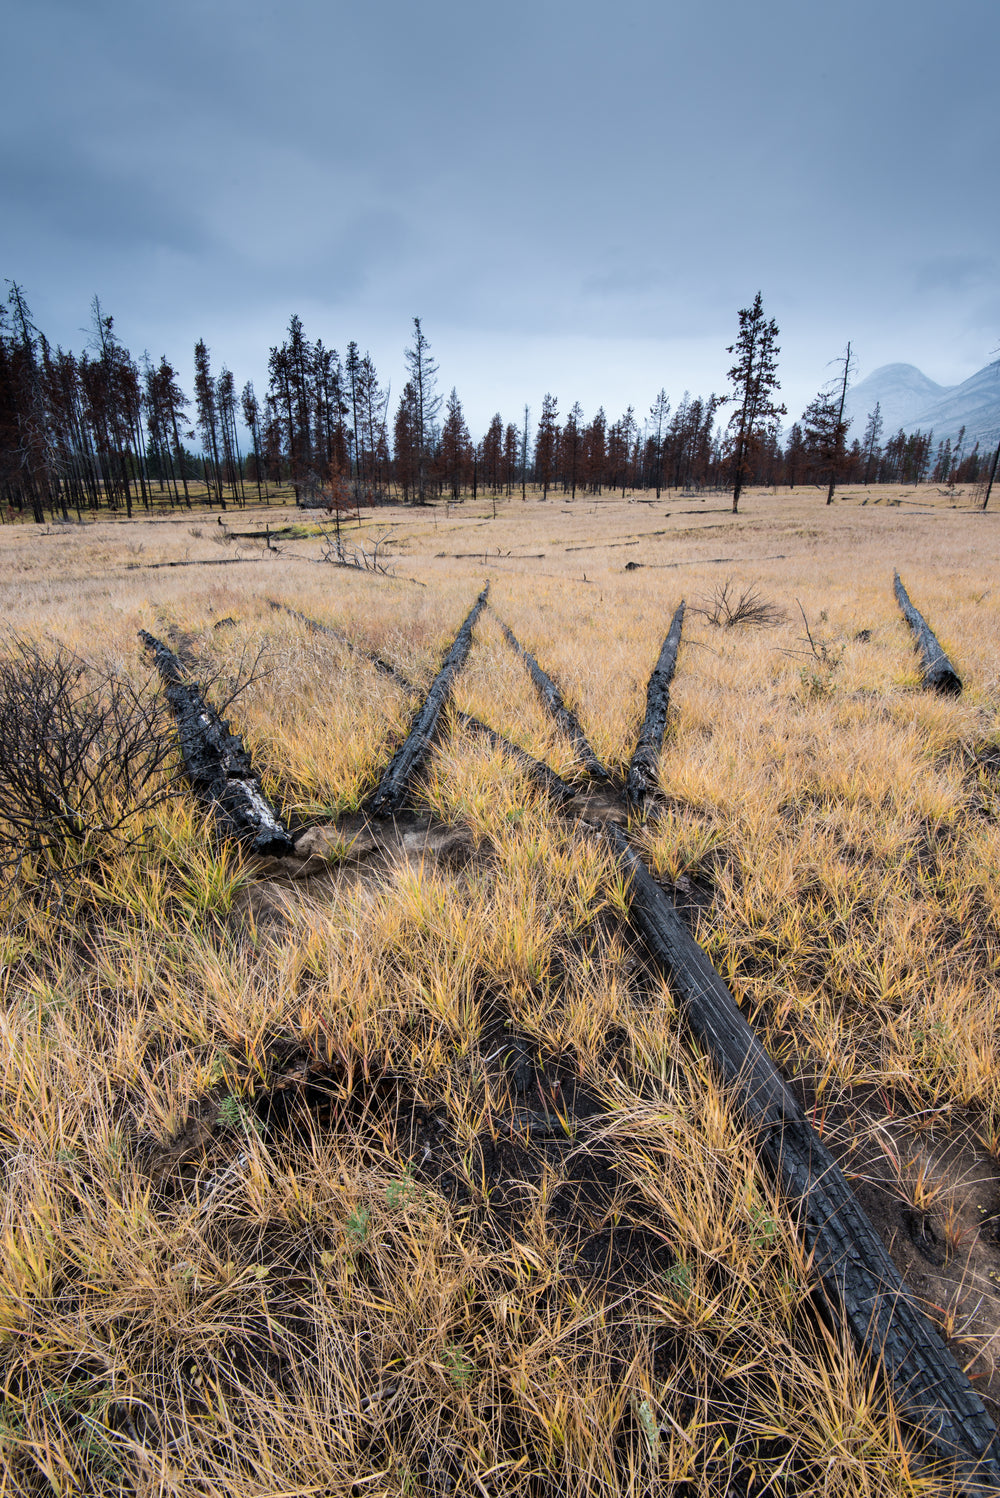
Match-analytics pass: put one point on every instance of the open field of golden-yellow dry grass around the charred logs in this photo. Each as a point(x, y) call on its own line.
point(391, 1169)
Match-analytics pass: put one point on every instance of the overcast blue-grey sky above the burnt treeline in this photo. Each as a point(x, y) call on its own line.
point(573, 197)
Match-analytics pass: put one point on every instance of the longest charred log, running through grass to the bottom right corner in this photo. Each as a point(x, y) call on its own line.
point(860, 1280)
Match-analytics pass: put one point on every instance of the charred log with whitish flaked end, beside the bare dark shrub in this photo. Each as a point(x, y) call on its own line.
point(216, 762)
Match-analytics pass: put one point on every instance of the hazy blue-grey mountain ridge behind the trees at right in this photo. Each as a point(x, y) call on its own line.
point(911, 401)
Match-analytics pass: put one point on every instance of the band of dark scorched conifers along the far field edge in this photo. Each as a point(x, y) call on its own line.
point(101, 431)
